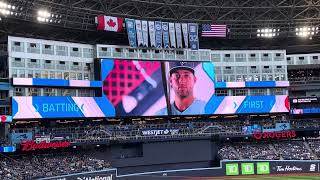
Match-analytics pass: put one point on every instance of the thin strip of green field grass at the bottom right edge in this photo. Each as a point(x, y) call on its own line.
point(279, 178)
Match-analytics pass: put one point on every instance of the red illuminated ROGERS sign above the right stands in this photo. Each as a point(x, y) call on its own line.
point(274, 135)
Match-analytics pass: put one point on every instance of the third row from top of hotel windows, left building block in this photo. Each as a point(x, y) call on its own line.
point(22, 73)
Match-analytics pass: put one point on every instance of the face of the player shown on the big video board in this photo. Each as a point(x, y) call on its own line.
point(182, 82)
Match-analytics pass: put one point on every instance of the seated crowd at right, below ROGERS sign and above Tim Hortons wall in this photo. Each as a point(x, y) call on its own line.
point(286, 150)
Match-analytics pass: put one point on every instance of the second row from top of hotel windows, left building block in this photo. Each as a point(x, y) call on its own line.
point(51, 64)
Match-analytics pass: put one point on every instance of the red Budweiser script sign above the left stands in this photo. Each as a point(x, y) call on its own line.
point(32, 145)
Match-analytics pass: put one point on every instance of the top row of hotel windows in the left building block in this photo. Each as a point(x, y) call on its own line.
point(48, 49)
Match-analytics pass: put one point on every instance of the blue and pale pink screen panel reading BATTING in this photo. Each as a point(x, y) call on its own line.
point(26, 107)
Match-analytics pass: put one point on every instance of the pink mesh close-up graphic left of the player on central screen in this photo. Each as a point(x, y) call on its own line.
point(132, 86)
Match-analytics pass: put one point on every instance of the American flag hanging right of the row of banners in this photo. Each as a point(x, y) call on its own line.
point(214, 30)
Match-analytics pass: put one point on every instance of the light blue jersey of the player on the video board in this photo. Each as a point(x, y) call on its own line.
point(197, 107)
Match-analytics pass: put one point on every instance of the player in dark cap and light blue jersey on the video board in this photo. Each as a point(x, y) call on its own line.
point(182, 80)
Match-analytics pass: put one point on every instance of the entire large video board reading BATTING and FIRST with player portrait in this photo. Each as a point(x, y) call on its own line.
point(149, 88)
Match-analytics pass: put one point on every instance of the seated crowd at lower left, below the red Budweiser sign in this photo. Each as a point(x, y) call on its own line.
point(45, 165)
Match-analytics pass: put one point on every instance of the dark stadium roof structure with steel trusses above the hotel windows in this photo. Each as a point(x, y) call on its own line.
point(74, 20)
